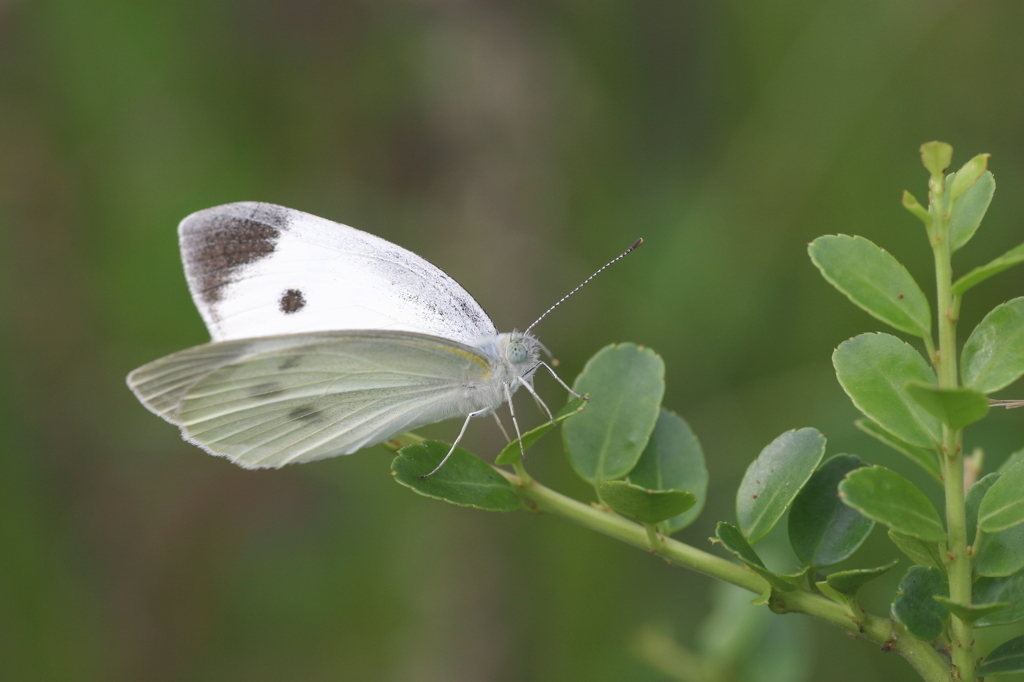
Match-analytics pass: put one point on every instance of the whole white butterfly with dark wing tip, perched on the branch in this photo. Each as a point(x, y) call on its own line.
point(325, 340)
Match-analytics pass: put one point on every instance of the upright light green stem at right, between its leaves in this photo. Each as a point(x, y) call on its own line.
point(958, 561)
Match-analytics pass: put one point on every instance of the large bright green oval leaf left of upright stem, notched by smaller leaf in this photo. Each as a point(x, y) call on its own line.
point(874, 370)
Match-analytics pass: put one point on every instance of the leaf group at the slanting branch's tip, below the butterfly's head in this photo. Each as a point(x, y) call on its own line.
point(643, 460)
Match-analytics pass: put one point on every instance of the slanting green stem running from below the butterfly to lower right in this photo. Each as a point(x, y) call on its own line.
point(929, 664)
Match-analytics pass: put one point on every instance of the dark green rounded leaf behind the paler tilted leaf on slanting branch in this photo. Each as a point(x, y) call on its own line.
point(823, 530)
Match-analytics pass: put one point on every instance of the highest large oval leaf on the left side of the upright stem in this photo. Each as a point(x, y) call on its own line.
point(874, 280)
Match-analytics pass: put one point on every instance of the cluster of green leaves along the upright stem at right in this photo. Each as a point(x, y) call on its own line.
point(915, 405)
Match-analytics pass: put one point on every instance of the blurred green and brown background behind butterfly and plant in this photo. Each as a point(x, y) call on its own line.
point(519, 147)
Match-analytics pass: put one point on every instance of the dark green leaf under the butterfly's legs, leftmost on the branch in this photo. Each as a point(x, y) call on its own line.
point(465, 480)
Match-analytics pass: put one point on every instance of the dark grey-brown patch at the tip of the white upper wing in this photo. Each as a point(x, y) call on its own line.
point(219, 243)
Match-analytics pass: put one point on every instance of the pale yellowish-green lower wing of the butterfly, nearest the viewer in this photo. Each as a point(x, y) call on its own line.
point(275, 401)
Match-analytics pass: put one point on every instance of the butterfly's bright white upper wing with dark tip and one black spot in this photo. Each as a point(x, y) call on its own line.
point(260, 270)
